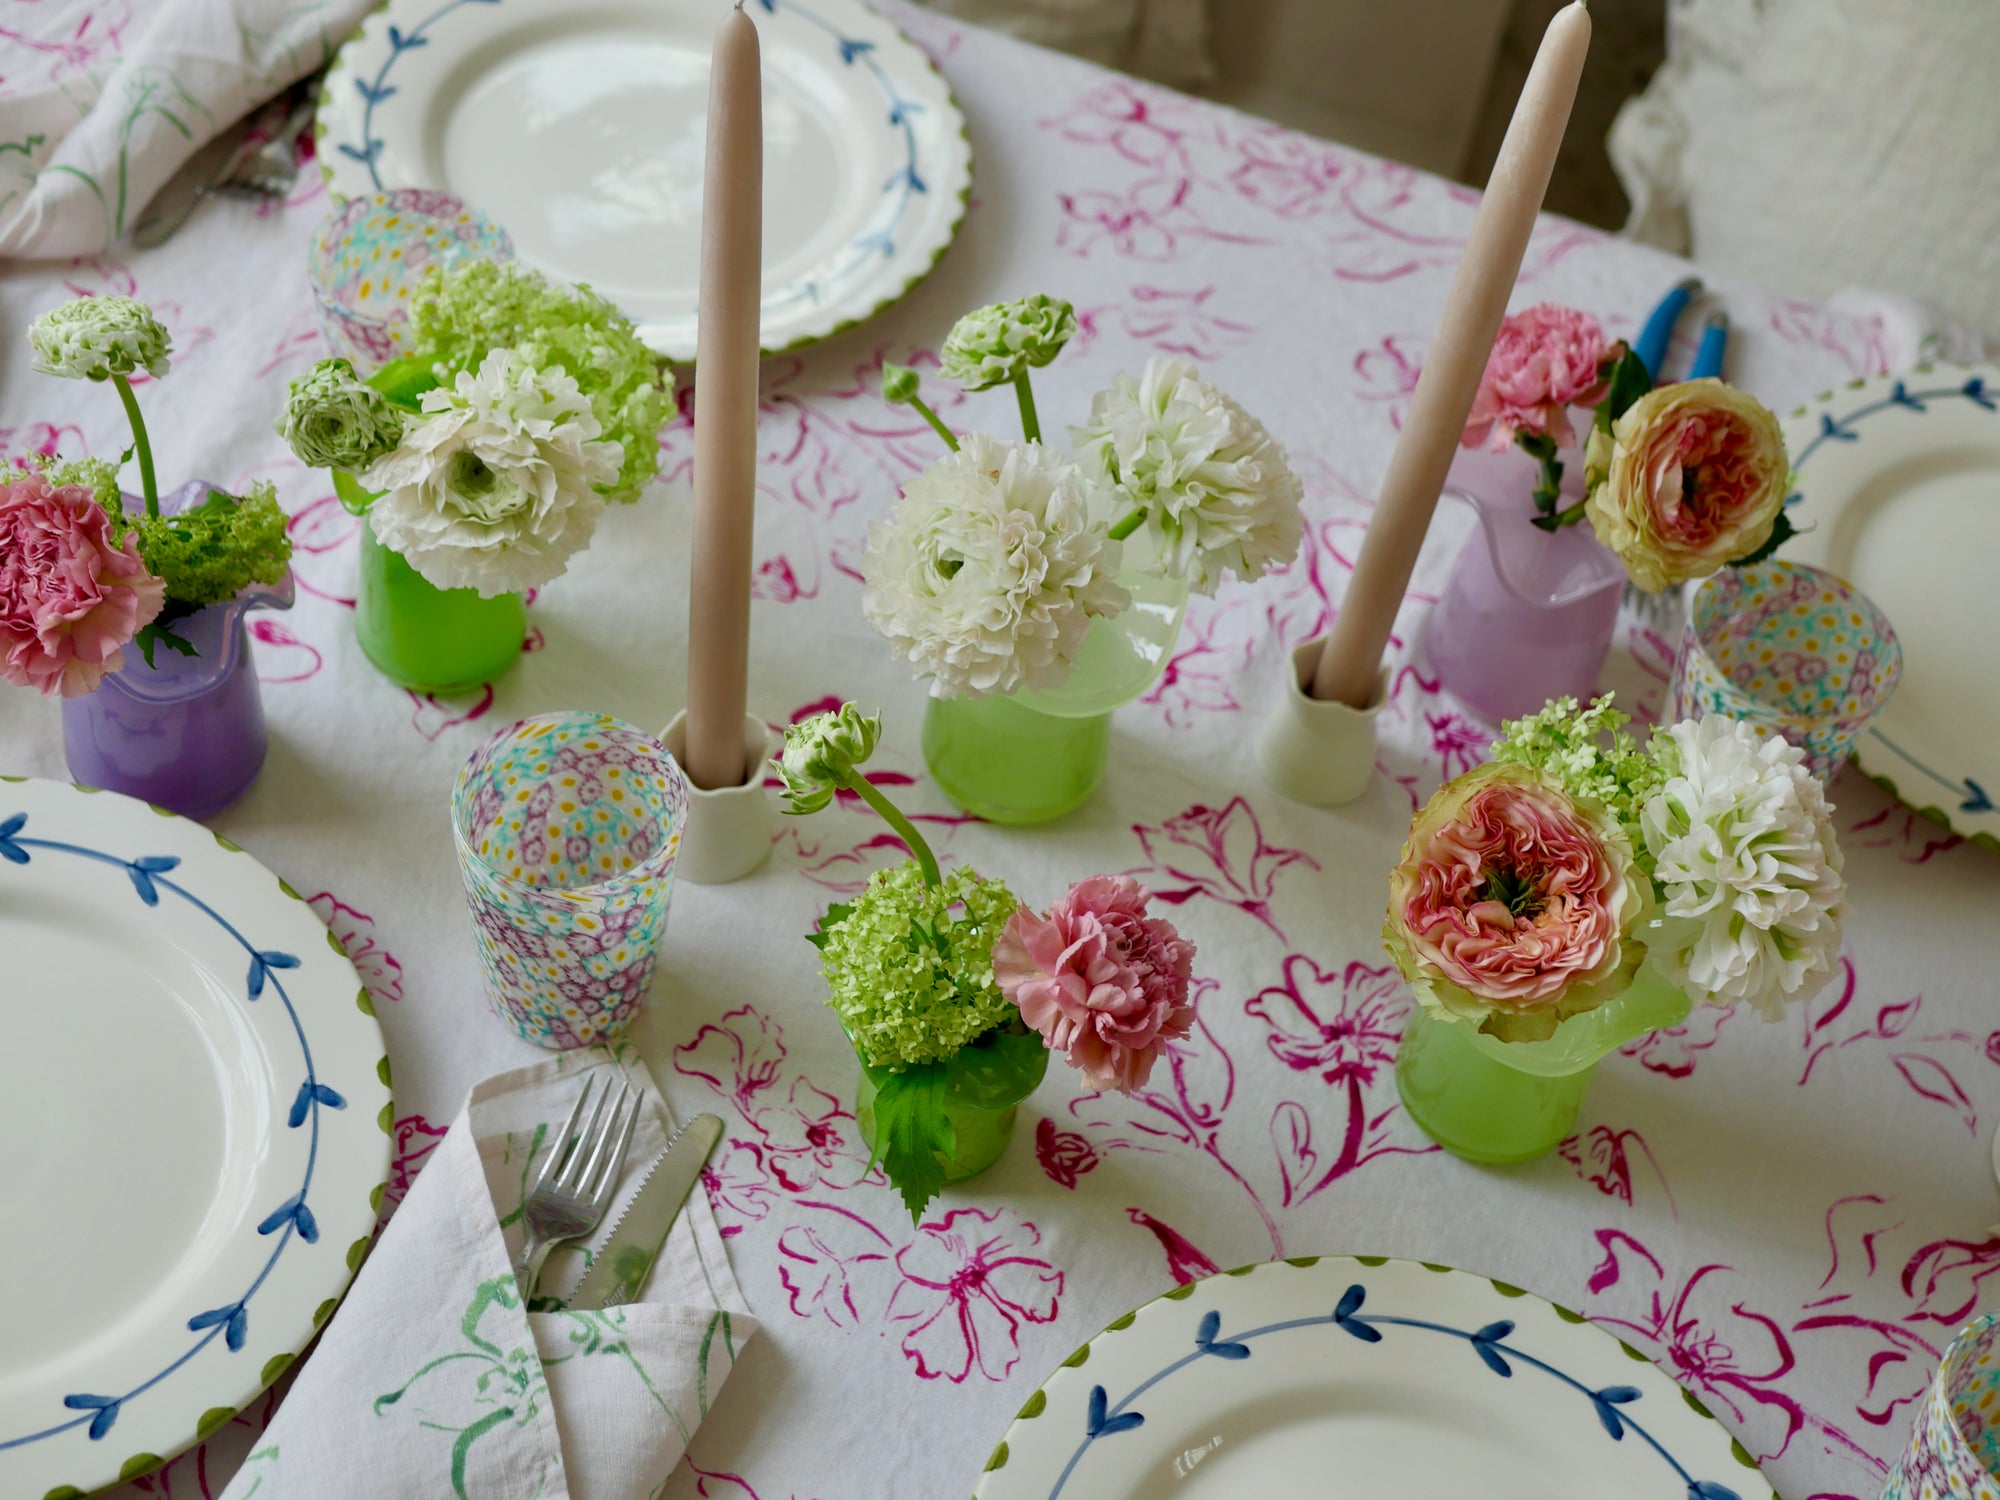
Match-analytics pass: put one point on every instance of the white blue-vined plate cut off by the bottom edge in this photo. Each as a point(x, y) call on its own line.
point(1355, 1379)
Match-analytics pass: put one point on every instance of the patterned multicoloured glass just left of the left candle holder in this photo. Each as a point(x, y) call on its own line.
point(569, 827)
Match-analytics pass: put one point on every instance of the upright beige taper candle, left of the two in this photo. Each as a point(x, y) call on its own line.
point(725, 409)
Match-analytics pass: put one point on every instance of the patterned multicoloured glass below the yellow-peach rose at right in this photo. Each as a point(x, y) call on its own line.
point(1793, 651)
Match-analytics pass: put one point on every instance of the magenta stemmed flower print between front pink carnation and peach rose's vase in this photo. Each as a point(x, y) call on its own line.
point(1347, 1035)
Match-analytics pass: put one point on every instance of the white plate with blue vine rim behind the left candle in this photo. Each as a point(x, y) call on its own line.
point(579, 127)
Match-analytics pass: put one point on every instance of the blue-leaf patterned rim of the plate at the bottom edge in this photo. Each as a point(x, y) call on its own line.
point(1275, 1325)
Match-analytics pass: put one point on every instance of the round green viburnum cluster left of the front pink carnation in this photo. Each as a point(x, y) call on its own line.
point(911, 965)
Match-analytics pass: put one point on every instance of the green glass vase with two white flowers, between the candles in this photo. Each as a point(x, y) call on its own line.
point(1031, 757)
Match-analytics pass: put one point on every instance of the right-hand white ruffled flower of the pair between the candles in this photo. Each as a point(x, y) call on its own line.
point(1217, 489)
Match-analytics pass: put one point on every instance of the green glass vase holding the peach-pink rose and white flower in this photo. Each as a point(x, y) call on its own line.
point(1499, 1103)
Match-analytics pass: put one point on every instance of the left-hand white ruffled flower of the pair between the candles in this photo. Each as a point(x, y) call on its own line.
point(989, 571)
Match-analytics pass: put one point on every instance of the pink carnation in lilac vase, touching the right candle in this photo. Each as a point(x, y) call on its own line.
point(1545, 363)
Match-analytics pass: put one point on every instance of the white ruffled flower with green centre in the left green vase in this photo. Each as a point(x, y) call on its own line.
point(499, 483)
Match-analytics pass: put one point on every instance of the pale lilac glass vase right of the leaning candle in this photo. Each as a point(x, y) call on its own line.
point(1527, 615)
